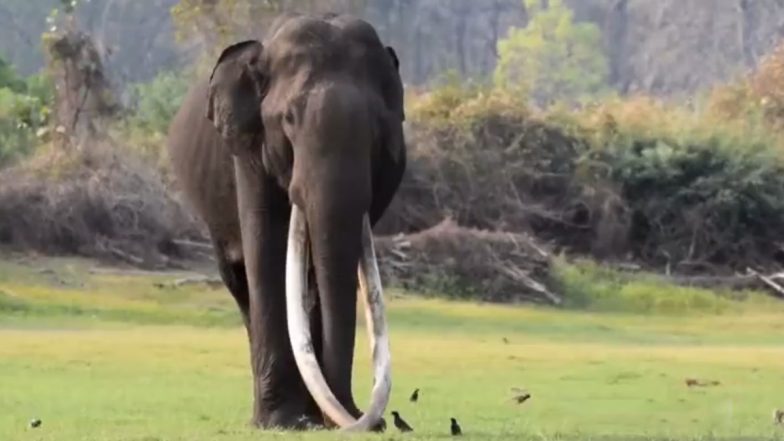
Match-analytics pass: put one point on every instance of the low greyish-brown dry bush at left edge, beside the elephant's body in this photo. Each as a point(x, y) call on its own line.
point(95, 202)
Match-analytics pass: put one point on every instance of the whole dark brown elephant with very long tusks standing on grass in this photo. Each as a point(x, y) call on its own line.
point(289, 153)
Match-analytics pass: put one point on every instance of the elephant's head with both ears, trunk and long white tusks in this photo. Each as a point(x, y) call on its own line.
point(318, 107)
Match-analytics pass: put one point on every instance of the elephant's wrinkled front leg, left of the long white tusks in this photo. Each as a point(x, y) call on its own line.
point(280, 396)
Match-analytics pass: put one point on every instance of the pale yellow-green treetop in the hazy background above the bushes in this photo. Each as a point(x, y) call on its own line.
point(552, 57)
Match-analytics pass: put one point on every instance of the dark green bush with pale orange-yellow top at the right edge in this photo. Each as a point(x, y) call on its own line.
point(693, 191)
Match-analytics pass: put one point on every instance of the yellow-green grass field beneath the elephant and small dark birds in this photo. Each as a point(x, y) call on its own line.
point(108, 357)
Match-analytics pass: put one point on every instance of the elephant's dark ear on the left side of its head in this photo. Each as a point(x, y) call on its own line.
point(236, 89)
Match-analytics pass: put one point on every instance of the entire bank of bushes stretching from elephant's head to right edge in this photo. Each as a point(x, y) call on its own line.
point(630, 178)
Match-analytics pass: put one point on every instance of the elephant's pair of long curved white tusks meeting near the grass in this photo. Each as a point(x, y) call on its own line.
point(299, 328)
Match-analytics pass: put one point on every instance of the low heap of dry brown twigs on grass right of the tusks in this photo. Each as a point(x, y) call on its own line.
point(465, 262)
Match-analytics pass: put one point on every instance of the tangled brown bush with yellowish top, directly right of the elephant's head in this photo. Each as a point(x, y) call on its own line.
point(496, 167)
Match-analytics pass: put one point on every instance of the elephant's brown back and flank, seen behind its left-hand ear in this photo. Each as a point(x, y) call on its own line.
point(203, 168)
